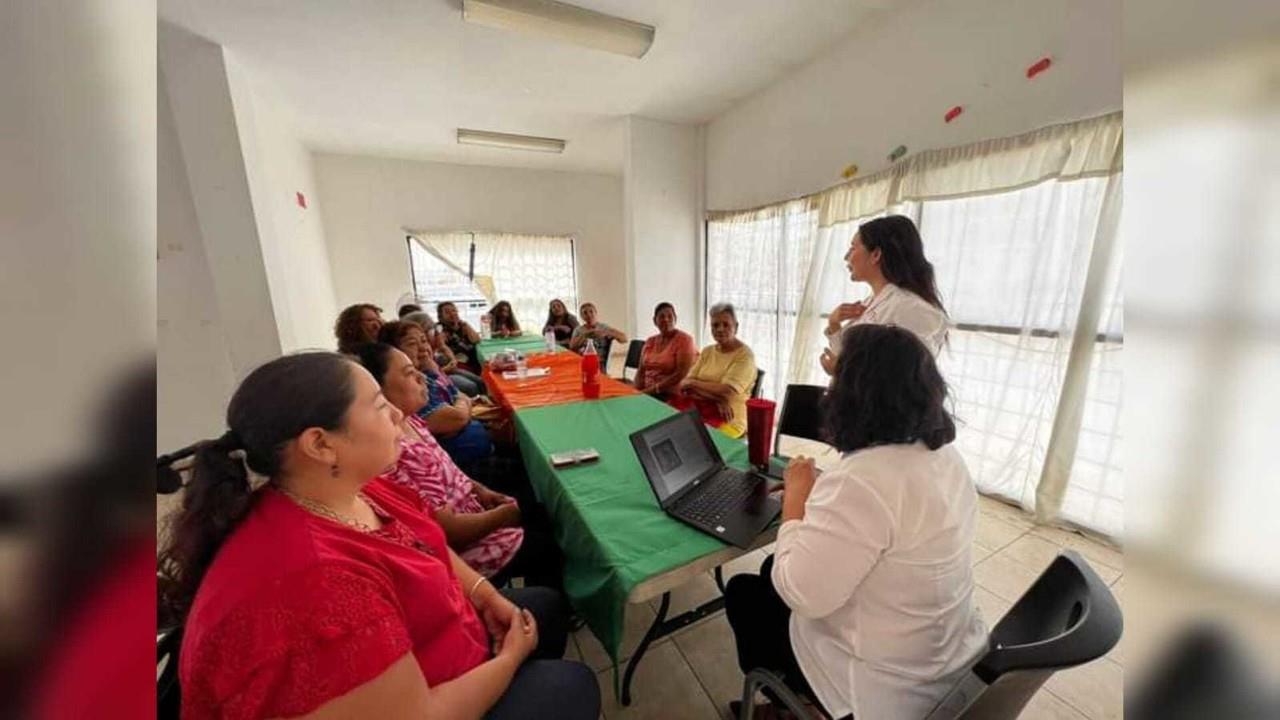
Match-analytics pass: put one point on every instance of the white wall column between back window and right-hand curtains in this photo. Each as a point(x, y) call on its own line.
point(662, 215)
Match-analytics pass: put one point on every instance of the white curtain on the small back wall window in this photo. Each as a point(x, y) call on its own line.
point(527, 271)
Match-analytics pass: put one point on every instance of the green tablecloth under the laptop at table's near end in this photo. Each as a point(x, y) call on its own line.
point(606, 516)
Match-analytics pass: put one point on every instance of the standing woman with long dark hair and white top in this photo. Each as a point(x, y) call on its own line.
point(889, 256)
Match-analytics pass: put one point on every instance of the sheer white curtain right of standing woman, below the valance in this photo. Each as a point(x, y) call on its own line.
point(1013, 268)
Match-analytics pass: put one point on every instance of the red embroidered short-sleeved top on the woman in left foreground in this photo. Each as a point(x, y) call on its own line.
point(298, 610)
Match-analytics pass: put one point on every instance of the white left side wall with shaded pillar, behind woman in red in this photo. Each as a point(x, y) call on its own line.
point(243, 271)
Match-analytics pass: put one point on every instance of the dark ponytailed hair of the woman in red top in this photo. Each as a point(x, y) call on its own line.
point(275, 405)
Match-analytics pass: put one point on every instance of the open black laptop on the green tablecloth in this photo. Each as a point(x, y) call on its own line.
point(696, 487)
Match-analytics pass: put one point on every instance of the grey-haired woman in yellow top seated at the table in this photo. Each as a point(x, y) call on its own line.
point(721, 380)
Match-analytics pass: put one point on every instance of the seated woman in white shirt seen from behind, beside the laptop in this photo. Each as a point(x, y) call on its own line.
point(867, 604)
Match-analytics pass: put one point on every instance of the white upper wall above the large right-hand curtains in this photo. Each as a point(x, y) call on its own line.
point(892, 81)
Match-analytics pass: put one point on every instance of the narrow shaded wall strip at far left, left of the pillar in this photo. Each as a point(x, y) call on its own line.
point(194, 368)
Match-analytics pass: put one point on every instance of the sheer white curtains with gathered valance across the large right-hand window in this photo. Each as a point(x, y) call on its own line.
point(1022, 235)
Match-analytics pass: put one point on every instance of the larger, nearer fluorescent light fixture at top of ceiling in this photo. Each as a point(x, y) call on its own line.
point(563, 22)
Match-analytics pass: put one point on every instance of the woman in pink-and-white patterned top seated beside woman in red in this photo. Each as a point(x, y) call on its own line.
point(488, 530)
